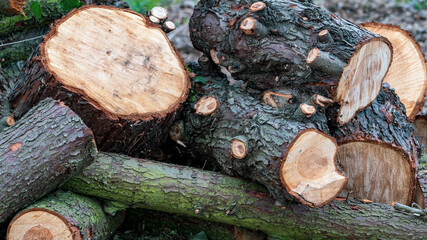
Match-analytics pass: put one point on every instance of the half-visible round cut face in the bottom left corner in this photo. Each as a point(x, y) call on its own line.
point(34, 224)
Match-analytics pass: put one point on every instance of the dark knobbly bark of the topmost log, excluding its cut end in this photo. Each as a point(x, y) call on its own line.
point(278, 56)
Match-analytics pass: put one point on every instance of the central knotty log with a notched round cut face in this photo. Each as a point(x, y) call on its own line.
point(286, 149)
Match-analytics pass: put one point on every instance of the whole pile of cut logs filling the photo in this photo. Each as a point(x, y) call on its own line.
point(320, 114)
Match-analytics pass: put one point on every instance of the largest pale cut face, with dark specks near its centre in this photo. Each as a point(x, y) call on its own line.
point(116, 60)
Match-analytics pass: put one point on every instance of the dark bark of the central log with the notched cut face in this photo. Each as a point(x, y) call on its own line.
point(267, 131)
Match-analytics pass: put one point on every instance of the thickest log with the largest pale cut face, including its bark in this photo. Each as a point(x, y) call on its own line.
point(118, 72)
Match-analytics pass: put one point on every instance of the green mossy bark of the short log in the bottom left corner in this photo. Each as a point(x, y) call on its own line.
point(84, 216)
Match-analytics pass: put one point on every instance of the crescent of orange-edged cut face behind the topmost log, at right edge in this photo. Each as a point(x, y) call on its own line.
point(408, 71)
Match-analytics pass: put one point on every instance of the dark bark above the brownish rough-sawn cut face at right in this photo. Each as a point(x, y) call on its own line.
point(385, 121)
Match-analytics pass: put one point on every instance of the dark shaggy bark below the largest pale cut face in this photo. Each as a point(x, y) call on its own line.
point(112, 133)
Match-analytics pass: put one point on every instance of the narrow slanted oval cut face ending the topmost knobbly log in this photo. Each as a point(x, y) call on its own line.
point(362, 78)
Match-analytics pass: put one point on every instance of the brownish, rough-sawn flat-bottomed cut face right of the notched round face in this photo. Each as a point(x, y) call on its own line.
point(375, 172)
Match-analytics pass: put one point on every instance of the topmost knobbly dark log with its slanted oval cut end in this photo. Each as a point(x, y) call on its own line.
point(279, 46)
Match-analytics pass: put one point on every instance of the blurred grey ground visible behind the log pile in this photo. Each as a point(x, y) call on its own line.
point(405, 15)
